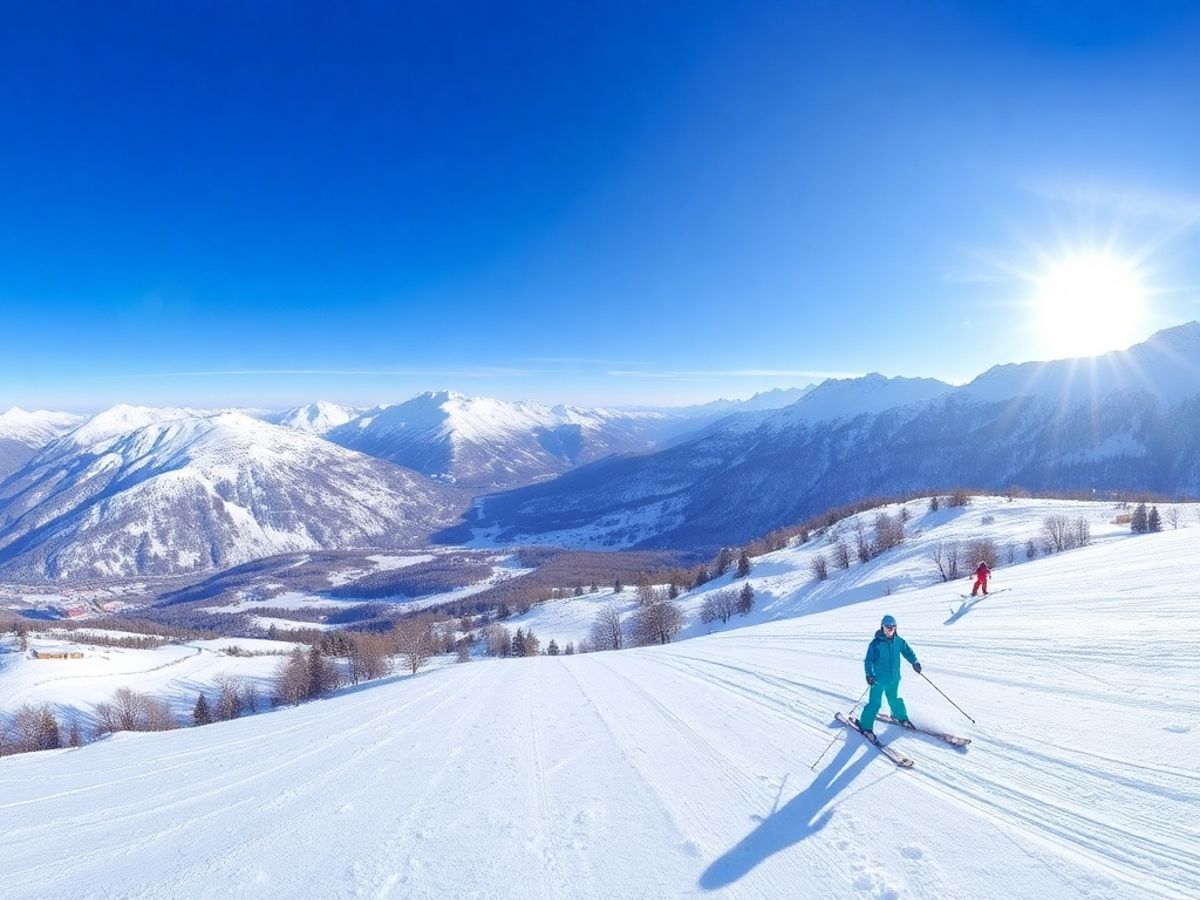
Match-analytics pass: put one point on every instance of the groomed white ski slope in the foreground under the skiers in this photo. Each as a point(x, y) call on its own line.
point(685, 771)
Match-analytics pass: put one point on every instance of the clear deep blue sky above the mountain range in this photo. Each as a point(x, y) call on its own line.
point(603, 203)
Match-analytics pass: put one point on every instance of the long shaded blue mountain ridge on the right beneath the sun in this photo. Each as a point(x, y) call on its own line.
point(877, 437)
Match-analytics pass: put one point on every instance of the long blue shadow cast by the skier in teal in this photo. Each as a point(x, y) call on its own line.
point(803, 817)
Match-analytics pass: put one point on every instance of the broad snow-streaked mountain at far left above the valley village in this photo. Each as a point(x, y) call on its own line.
point(137, 491)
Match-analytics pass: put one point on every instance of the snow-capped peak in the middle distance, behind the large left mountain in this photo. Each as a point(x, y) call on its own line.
point(483, 442)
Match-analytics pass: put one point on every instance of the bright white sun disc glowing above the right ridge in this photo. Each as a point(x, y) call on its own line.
point(1089, 304)
